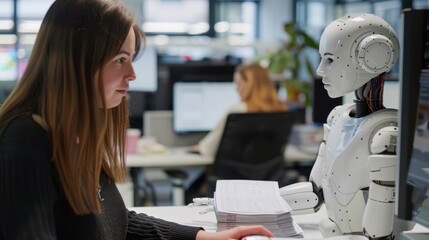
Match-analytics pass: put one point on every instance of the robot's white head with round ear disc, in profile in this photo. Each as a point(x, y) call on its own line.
point(354, 49)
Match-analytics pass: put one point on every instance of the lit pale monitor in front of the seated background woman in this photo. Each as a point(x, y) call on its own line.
point(198, 106)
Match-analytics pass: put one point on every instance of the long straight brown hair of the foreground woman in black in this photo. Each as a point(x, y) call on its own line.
point(77, 38)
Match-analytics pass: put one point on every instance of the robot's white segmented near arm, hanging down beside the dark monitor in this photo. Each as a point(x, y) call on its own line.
point(381, 200)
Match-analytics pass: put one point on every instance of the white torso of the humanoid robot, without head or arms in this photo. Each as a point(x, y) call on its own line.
point(346, 170)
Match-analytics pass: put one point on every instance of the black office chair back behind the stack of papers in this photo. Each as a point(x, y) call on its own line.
point(252, 147)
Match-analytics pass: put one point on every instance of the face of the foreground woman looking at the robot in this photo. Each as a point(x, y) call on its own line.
point(117, 73)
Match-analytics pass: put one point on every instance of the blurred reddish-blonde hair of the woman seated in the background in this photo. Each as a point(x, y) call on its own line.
point(260, 94)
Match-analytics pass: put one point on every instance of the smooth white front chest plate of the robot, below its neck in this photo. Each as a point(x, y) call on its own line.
point(346, 168)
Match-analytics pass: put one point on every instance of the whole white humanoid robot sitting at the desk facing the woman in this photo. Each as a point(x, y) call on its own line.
point(354, 173)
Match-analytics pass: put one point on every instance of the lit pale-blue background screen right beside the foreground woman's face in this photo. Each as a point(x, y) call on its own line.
point(146, 69)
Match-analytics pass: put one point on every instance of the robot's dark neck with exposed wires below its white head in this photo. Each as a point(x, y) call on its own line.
point(370, 96)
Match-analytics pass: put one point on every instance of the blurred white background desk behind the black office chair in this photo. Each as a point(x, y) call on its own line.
point(179, 157)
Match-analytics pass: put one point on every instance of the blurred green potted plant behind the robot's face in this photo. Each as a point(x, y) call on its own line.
point(287, 61)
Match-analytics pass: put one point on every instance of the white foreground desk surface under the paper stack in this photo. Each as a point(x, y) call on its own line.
point(190, 216)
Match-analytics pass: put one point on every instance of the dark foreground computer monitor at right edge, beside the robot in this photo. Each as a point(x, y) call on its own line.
point(412, 183)
